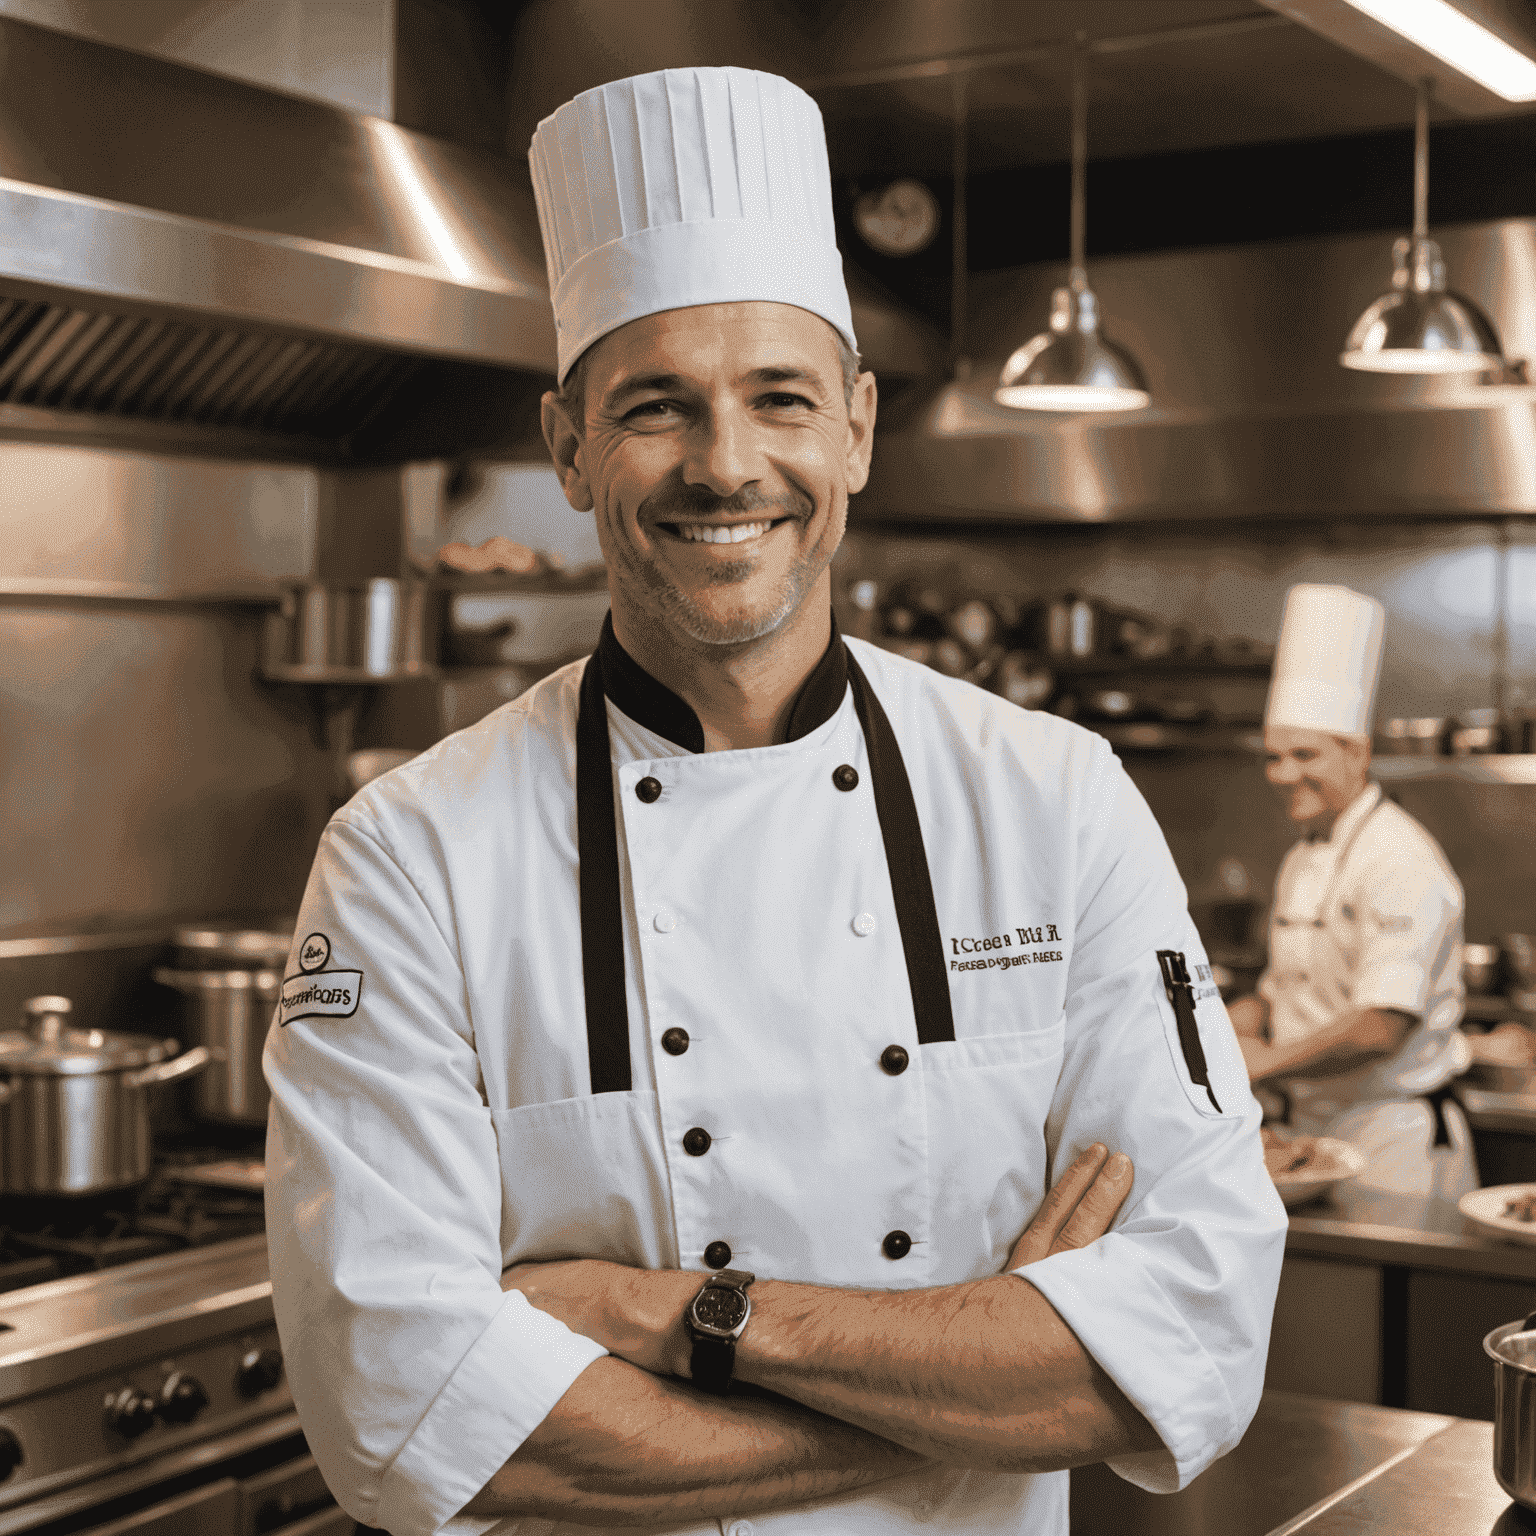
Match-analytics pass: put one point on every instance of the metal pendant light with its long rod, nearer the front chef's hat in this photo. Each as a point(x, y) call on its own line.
point(1073, 366)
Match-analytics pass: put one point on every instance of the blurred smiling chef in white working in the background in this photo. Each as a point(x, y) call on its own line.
point(1357, 1011)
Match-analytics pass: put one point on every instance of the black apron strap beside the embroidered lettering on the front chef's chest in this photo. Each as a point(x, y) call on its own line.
point(905, 858)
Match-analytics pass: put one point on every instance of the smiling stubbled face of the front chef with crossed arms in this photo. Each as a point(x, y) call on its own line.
point(718, 454)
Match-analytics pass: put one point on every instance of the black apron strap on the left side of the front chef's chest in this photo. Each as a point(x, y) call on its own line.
point(601, 905)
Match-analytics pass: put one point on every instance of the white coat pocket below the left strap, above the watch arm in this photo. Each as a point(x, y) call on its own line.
point(584, 1179)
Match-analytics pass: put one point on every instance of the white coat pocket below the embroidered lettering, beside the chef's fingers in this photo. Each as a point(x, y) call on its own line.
point(988, 1099)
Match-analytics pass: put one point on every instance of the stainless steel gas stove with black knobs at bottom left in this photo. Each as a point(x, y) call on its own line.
point(139, 1359)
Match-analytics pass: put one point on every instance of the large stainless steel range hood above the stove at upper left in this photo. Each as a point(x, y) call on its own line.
point(222, 265)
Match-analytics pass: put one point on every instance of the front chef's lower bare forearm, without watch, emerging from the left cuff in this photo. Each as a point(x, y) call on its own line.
point(624, 1448)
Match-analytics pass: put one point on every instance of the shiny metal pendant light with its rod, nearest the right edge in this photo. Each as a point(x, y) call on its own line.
point(1420, 326)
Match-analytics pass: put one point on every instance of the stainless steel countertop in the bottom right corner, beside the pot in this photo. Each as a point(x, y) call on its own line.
point(1320, 1468)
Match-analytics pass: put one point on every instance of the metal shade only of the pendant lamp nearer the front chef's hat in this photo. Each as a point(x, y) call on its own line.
point(1071, 366)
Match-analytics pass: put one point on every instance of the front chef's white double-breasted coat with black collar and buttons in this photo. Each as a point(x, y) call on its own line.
point(432, 1074)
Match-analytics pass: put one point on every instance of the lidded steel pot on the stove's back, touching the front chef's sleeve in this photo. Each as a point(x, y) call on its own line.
point(230, 981)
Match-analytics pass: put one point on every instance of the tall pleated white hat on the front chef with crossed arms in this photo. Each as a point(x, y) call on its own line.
point(681, 188)
